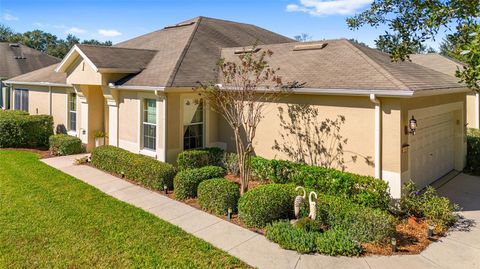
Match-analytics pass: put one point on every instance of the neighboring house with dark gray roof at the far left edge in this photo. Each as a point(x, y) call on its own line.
point(17, 59)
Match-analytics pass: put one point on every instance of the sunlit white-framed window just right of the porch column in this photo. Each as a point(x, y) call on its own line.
point(149, 124)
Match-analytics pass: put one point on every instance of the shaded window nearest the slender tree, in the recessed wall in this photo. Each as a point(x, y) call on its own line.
point(193, 123)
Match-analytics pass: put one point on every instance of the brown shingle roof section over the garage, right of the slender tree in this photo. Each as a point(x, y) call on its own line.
point(346, 65)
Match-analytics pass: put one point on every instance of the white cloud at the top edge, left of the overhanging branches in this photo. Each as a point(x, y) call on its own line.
point(328, 7)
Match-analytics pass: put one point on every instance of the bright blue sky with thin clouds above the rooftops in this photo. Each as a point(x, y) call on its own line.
point(119, 20)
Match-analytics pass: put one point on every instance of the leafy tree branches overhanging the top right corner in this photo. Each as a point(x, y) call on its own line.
point(412, 22)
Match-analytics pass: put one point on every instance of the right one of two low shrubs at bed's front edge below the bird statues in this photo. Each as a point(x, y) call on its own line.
point(338, 242)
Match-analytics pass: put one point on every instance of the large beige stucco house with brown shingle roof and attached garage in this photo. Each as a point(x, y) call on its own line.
point(352, 113)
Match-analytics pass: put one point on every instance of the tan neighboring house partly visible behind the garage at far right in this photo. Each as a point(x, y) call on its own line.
point(449, 66)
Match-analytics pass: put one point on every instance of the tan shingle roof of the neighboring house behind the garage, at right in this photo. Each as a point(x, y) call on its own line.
point(437, 62)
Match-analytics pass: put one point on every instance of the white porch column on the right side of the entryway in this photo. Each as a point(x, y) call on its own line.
point(111, 96)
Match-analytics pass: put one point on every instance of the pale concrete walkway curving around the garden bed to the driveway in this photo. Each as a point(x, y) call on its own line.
point(461, 249)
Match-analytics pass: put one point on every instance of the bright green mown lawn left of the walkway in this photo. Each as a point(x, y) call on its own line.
point(49, 219)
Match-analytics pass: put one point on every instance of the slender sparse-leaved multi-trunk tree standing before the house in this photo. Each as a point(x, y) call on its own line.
point(248, 85)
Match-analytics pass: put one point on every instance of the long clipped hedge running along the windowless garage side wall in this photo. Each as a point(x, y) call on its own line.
point(364, 190)
